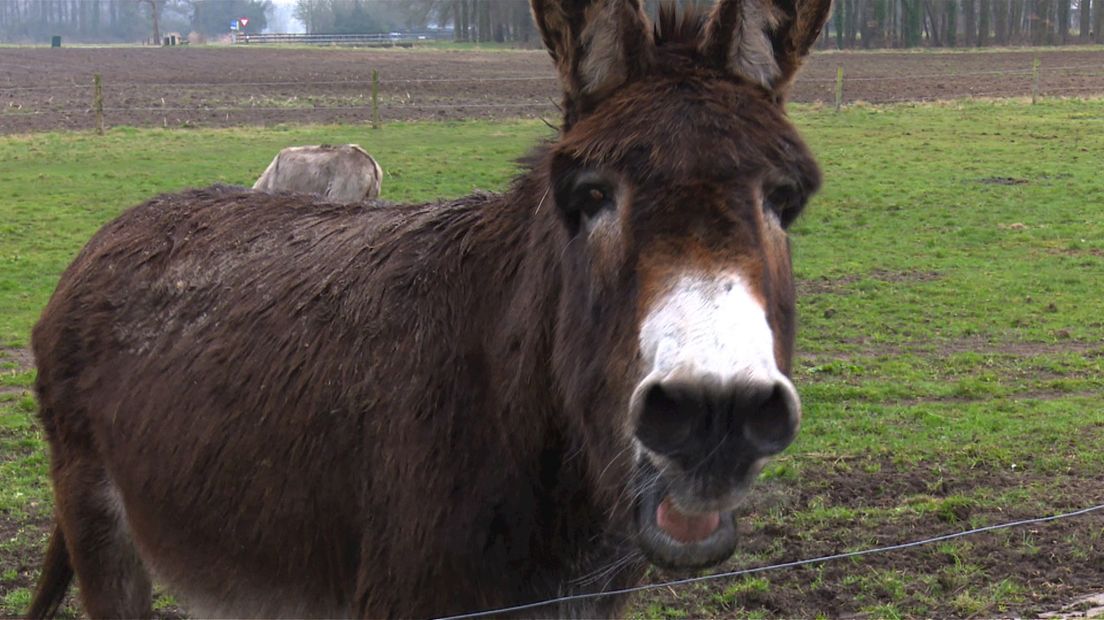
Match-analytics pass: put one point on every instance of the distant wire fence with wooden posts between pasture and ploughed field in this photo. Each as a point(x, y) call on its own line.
point(144, 103)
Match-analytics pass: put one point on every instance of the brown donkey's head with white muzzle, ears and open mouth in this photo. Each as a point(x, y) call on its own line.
point(675, 178)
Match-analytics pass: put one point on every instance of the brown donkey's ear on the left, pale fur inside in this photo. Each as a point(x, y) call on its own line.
point(597, 45)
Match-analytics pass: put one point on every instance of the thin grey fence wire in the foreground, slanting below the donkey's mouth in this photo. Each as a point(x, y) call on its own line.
point(821, 560)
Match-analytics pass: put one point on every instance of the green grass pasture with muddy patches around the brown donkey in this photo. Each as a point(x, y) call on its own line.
point(952, 341)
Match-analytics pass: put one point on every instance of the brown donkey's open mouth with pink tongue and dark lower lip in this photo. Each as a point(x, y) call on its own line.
point(673, 537)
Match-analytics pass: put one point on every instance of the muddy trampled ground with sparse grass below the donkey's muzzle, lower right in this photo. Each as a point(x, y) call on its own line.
point(1055, 564)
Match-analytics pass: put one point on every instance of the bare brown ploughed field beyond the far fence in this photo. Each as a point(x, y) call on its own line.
point(51, 90)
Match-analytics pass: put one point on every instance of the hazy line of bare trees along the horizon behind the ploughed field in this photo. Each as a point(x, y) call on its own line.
point(854, 24)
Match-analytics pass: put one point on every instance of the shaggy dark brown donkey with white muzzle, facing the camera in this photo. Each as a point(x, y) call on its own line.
point(284, 409)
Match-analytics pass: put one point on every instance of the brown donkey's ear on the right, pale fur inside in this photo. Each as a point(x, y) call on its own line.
point(765, 41)
